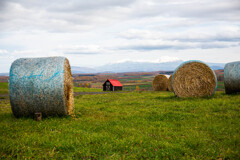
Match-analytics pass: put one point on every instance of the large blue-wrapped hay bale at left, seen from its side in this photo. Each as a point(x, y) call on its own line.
point(41, 85)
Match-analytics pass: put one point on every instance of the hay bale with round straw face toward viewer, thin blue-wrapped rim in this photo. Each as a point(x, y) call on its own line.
point(194, 79)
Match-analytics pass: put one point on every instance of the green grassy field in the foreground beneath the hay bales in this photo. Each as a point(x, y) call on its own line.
point(134, 125)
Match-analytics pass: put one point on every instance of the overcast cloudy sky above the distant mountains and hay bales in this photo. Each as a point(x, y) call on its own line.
point(96, 32)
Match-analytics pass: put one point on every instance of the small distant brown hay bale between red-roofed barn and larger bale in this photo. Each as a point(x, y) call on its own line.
point(160, 83)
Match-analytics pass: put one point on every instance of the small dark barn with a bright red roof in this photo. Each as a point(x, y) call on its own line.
point(112, 85)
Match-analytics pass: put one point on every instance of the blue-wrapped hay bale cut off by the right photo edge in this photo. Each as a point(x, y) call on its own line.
point(232, 77)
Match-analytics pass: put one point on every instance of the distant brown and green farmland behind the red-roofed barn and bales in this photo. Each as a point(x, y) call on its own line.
point(129, 80)
